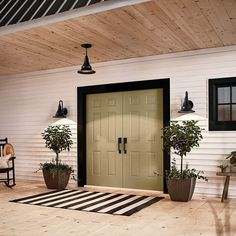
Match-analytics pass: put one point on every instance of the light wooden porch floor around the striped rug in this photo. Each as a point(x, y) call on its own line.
point(201, 216)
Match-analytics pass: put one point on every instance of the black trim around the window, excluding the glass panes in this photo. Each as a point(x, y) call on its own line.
point(214, 124)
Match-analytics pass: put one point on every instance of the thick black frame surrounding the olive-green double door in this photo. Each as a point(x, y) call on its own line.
point(82, 92)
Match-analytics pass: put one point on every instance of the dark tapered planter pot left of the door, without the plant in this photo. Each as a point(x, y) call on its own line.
point(56, 179)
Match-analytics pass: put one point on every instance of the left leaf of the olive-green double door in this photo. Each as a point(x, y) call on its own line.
point(104, 125)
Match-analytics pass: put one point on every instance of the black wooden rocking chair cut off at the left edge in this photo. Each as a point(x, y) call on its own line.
point(9, 172)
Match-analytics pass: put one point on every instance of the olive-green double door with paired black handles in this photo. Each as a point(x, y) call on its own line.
point(124, 146)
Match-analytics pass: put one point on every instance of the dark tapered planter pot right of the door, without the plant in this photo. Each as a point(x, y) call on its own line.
point(181, 189)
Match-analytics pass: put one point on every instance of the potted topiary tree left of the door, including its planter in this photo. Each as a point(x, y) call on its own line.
point(56, 174)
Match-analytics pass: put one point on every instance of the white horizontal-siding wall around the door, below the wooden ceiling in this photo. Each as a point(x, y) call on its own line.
point(28, 102)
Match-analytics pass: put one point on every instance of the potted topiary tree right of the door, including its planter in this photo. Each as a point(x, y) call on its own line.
point(182, 138)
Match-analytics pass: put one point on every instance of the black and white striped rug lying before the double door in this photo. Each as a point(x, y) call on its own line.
point(110, 203)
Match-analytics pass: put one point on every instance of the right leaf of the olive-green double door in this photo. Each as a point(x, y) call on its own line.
point(142, 123)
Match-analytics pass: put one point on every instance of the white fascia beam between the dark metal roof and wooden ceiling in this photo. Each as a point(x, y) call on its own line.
point(83, 11)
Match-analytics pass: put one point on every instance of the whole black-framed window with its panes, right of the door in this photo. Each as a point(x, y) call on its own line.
point(222, 104)
